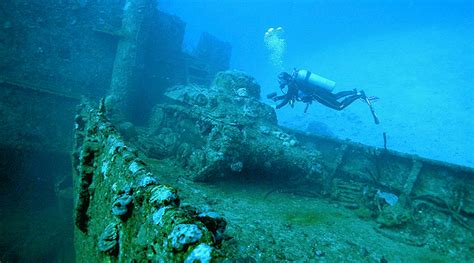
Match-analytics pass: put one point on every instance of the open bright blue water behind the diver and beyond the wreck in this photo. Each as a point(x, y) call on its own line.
point(416, 56)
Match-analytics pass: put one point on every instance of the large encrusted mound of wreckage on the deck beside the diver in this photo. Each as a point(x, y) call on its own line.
point(219, 139)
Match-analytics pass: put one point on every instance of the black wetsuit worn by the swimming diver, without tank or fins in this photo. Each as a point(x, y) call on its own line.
point(319, 94)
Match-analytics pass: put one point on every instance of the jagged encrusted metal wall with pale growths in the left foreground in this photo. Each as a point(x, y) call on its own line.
point(122, 212)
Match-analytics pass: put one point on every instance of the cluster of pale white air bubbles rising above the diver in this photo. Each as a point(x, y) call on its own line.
point(276, 46)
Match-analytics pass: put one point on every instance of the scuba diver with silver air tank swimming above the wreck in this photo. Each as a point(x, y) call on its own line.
point(306, 86)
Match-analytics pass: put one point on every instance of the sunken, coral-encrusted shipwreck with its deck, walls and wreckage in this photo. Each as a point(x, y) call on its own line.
point(175, 158)
